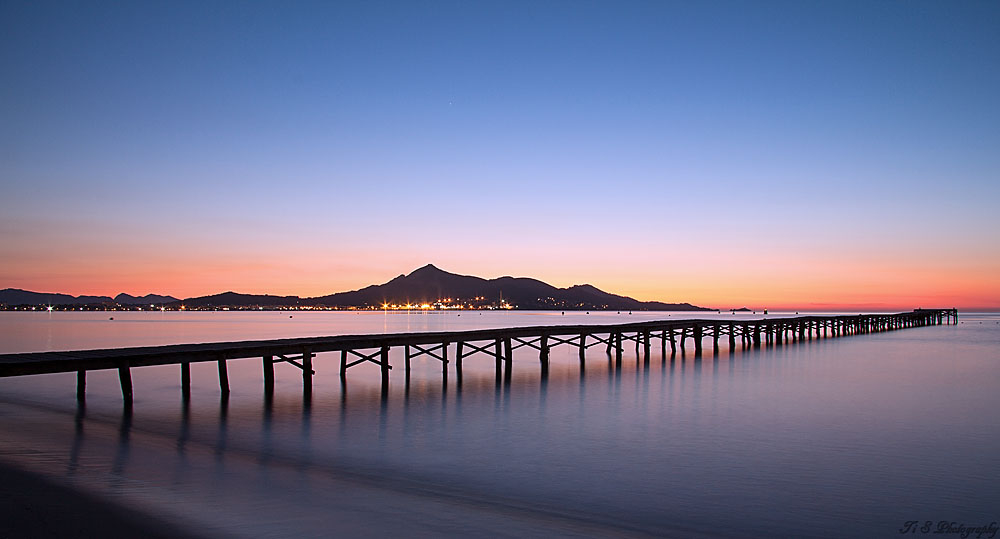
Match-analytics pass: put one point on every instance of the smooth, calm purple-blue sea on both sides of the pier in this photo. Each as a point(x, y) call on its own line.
point(846, 437)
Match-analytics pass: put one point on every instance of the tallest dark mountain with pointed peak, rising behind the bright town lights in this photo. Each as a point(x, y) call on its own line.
point(430, 284)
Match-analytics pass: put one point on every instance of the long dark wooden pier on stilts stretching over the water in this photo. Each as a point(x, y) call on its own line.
point(496, 343)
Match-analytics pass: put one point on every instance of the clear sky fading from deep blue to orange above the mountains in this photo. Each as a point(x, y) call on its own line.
point(808, 155)
